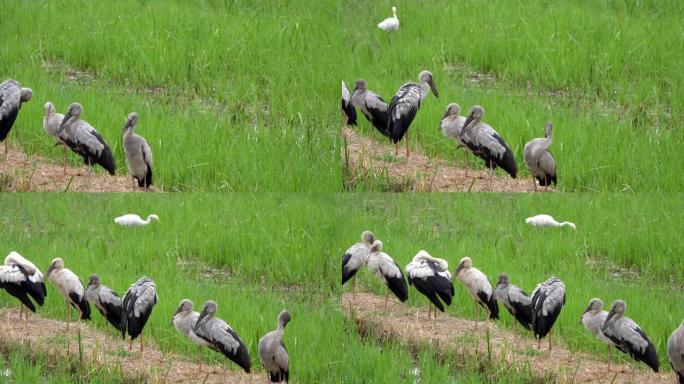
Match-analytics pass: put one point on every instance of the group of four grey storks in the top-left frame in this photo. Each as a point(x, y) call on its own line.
point(72, 132)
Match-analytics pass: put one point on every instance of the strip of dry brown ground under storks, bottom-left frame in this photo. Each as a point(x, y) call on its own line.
point(104, 350)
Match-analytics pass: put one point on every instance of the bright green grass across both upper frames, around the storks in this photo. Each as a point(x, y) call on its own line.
point(245, 96)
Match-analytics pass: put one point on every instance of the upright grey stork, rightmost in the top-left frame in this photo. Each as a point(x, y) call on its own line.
point(138, 153)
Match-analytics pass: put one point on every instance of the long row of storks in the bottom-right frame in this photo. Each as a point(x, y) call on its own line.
point(536, 312)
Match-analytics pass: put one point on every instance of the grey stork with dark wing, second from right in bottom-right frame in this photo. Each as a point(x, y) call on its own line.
point(628, 336)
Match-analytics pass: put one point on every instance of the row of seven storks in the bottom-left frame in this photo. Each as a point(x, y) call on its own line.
point(22, 279)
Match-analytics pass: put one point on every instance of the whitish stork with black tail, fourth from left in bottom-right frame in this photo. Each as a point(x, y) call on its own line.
point(479, 287)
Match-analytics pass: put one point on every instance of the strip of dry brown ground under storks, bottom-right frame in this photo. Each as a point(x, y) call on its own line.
point(451, 334)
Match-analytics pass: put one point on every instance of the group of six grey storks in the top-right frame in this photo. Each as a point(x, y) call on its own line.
point(394, 119)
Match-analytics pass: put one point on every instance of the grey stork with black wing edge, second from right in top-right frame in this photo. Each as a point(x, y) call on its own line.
point(487, 144)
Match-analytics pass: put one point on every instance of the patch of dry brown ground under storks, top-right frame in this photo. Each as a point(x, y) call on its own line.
point(420, 173)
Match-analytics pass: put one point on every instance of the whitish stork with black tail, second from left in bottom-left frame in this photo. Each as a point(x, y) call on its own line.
point(71, 289)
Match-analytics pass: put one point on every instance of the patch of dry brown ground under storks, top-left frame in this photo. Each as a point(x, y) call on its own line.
point(19, 173)
